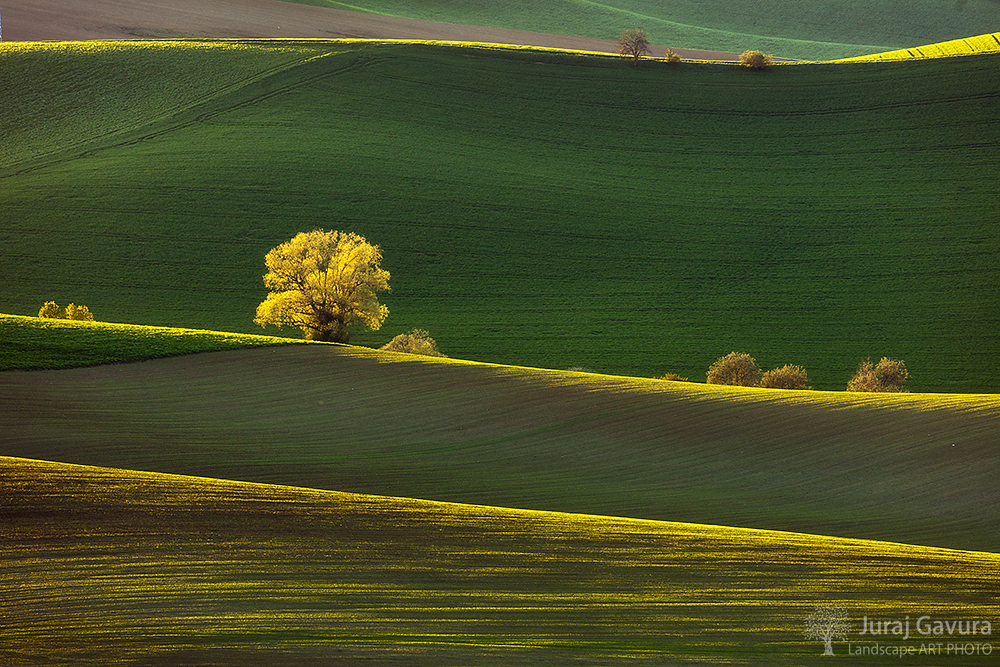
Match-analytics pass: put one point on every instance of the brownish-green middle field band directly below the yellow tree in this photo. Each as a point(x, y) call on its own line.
point(913, 468)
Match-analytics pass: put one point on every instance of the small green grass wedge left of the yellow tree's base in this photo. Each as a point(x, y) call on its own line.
point(33, 343)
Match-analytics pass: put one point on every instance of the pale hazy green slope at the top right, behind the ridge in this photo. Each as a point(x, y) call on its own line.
point(789, 28)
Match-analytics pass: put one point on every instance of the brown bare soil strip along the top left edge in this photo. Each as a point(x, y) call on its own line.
point(40, 20)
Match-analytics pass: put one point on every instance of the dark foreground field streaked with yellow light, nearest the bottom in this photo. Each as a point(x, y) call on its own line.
point(115, 567)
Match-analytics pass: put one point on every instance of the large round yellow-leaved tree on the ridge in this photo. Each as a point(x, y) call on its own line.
point(324, 283)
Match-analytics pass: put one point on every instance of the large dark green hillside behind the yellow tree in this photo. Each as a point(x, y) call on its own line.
point(544, 210)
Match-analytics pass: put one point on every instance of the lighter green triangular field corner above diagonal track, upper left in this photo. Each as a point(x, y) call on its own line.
point(64, 94)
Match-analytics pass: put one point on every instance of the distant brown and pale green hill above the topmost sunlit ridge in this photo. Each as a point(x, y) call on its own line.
point(802, 31)
